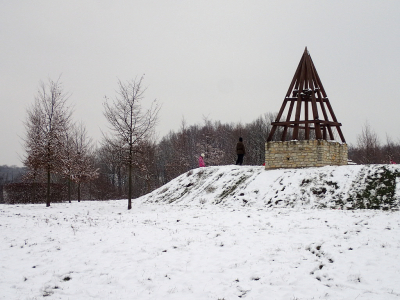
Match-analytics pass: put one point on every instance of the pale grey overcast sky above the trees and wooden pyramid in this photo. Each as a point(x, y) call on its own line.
point(226, 60)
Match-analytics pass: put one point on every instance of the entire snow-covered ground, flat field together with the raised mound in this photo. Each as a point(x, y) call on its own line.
point(214, 233)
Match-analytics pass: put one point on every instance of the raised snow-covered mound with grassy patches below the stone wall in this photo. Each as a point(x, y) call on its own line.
point(343, 187)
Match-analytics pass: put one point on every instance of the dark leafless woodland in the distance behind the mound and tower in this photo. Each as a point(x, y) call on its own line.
point(156, 163)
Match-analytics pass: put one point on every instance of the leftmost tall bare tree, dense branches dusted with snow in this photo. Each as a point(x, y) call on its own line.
point(48, 119)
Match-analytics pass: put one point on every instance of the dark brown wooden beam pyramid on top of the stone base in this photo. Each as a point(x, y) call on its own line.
point(313, 117)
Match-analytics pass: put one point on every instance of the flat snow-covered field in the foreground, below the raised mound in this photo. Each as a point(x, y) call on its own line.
point(99, 250)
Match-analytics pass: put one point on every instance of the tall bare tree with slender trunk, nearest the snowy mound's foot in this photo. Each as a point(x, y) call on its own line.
point(130, 123)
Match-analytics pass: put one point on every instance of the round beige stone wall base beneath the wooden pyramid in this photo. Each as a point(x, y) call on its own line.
point(301, 154)
